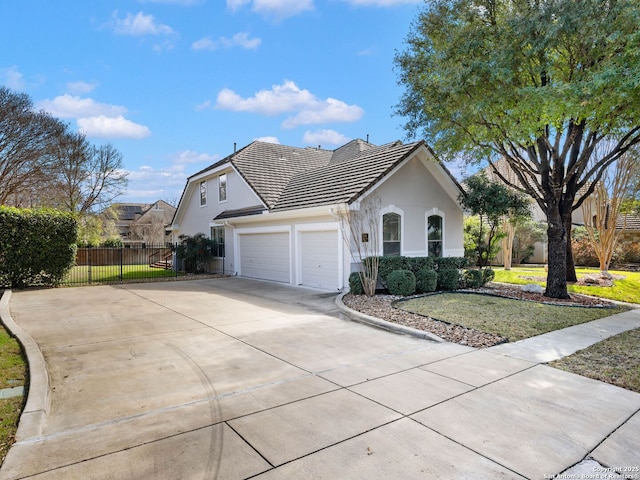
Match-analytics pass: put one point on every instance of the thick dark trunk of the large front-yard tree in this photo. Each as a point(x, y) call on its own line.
point(557, 271)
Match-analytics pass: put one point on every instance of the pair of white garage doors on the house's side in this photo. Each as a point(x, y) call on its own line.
point(314, 261)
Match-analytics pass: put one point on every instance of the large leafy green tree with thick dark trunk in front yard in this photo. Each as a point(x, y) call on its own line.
point(539, 83)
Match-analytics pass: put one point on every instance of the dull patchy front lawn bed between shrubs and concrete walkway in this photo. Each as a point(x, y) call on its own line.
point(511, 319)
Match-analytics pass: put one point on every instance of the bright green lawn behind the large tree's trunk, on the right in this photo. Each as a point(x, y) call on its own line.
point(626, 289)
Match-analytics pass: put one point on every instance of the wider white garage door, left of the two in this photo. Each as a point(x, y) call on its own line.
point(265, 256)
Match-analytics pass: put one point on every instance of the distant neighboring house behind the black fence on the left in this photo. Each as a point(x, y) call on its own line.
point(144, 223)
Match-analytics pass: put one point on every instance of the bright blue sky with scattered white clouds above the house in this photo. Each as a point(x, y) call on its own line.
point(172, 84)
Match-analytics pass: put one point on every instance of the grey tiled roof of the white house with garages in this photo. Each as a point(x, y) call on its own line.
point(287, 178)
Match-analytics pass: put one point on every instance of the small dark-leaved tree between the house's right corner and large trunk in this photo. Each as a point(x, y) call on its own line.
point(491, 202)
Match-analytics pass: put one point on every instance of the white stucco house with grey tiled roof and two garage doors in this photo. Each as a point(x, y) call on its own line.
point(277, 208)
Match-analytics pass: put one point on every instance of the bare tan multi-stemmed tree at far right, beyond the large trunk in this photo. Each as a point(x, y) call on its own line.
point(602, 211)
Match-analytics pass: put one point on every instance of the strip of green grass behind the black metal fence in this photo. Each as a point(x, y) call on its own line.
point(115, 273)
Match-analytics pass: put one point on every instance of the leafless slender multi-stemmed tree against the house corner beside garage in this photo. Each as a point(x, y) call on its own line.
point(360, 225)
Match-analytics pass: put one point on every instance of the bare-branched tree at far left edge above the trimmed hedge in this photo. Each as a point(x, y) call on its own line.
point(28, 140)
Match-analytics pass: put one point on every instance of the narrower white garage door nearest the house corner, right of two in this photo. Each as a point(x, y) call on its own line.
point(319, 259)
